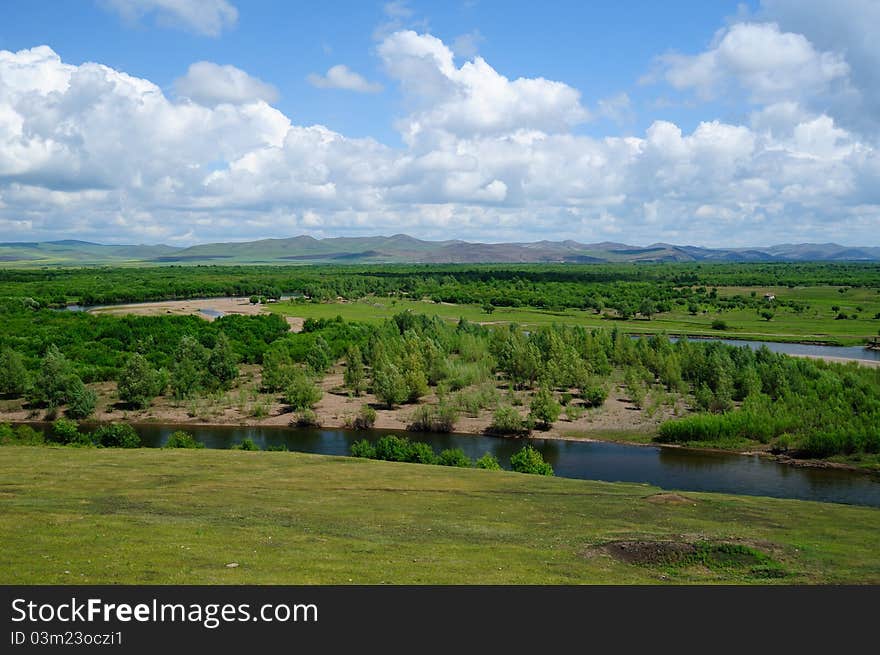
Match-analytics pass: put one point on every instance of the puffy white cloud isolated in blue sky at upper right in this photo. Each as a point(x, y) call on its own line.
point(759, 58)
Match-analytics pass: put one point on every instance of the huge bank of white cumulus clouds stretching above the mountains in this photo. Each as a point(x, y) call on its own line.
point(91, 152)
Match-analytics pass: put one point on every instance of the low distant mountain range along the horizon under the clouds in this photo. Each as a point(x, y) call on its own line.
point(401, 248)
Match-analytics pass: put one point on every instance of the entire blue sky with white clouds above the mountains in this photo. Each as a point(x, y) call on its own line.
point(188, 121)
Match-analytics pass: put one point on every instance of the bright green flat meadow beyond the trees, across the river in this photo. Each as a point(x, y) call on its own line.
point(815, 324)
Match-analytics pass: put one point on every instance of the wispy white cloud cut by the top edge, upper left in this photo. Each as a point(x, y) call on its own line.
point(208, 17)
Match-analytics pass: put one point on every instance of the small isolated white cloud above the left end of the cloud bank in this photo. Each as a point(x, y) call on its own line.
point(211, 84)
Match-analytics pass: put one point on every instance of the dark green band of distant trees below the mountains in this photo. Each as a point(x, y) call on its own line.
point(620, 286)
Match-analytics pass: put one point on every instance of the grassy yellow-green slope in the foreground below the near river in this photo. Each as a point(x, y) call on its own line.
point(151, 516)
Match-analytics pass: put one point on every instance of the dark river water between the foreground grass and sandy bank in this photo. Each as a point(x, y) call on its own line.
point(669, 468)
